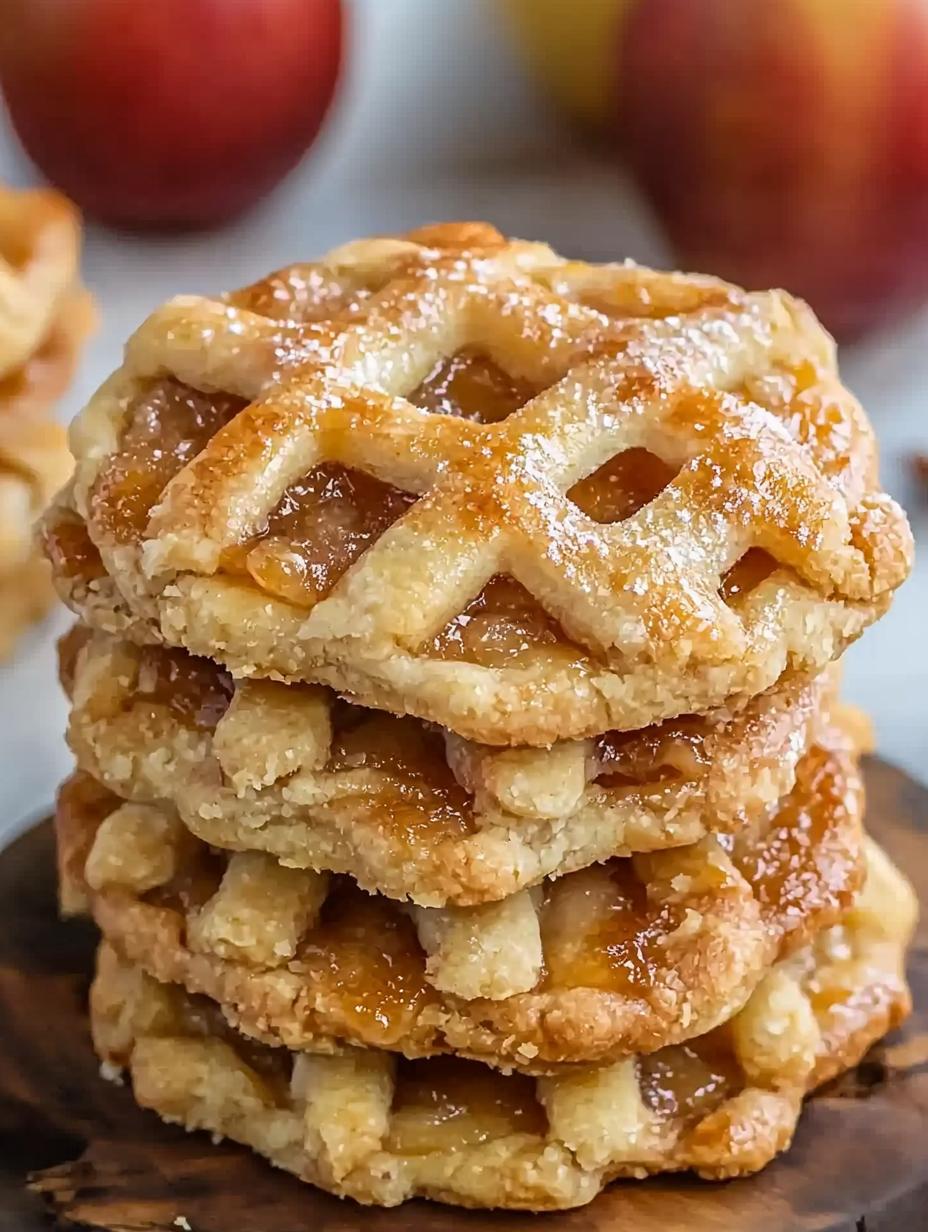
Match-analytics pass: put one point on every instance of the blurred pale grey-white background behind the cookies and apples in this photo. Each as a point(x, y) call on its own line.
point(389, 160)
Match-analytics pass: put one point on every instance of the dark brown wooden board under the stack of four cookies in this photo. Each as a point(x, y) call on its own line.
point(860, 1162)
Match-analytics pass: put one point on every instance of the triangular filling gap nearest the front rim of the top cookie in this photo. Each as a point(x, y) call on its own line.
point(502, 628)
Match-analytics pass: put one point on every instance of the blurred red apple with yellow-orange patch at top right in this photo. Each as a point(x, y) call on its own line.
point(786, 142)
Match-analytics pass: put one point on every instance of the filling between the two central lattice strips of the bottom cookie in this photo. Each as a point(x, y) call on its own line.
point(444, 1104)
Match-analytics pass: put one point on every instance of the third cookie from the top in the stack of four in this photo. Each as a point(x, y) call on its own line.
point(624, 957)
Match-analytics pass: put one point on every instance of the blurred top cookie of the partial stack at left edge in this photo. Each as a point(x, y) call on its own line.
point(40, 245)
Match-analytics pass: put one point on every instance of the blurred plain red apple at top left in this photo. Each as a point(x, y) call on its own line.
point(168, 113)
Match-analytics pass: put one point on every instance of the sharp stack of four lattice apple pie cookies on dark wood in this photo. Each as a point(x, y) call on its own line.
point(463, 793)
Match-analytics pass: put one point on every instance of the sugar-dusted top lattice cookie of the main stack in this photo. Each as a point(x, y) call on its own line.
point(463, 479)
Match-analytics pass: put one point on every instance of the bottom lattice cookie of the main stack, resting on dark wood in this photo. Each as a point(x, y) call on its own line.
point(381, 1130)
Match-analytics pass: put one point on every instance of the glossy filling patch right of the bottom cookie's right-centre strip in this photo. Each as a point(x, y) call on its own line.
point(691, 1080)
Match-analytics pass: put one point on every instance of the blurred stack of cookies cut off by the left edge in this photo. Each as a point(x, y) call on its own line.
point(45, 317)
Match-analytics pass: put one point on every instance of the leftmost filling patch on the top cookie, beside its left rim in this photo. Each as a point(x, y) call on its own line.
point(168, 427)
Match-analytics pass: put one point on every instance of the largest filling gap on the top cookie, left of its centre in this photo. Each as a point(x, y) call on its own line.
point(320, 528)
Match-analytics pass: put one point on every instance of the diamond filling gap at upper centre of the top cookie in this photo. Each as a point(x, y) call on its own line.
point(473, 386)
